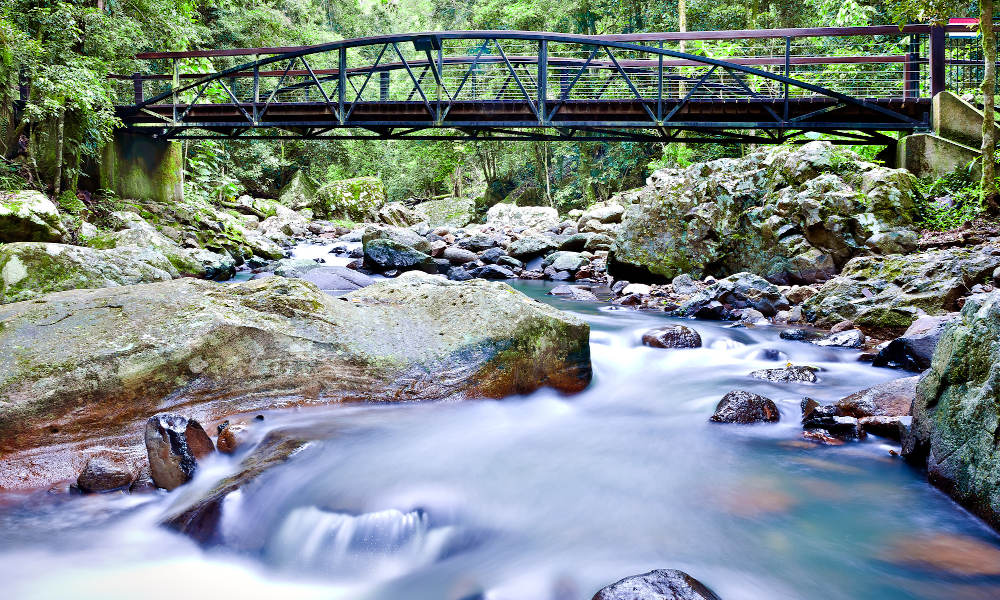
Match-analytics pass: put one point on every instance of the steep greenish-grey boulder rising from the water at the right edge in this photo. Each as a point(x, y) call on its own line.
point(956, 414)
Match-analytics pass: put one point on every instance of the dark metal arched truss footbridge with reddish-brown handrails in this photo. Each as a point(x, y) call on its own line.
point(855, 84)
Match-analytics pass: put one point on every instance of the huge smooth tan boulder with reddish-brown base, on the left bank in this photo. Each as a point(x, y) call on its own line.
point(83, 368)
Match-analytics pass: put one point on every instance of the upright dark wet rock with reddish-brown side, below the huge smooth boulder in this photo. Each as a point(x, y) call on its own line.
point(175, 444)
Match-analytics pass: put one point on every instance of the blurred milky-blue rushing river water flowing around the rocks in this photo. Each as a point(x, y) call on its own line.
point(538, 497)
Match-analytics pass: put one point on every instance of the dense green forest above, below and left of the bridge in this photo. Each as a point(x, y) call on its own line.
point(66, 49)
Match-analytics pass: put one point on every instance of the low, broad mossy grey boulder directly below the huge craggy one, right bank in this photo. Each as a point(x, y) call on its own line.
point(890, 292)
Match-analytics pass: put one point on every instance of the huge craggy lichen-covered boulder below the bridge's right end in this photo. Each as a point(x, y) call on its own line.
point(793, 215)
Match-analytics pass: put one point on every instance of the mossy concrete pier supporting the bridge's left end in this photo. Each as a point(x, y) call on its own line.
point(140, 167)
